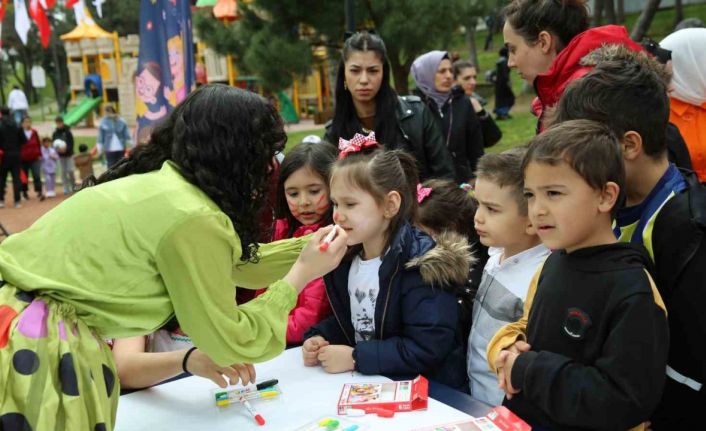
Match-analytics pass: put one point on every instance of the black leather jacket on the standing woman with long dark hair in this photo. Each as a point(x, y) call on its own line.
point(420, 135)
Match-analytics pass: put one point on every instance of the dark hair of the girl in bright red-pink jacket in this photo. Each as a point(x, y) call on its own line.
point(318, 158)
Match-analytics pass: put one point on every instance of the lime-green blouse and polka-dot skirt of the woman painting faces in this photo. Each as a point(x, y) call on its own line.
point(121, 259)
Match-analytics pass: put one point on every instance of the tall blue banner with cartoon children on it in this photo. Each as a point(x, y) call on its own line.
point(165, 70)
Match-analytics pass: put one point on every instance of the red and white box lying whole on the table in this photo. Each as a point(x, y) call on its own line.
point(402, 396)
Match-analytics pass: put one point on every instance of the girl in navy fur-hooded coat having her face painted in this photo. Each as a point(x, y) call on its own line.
point(394, 296)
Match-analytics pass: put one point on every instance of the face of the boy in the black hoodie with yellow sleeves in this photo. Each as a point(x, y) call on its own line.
point(564, 209)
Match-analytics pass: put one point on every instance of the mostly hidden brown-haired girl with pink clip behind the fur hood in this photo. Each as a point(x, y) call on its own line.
point(446, 211)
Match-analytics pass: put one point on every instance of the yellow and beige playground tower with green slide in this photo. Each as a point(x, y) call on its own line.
point(101, 66)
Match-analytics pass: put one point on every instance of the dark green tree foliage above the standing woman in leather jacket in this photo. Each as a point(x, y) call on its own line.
point(274, 38)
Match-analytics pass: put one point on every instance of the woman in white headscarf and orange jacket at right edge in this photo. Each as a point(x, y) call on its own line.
point(688, 92)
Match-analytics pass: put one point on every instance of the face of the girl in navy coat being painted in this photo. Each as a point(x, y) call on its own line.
point(360, 215)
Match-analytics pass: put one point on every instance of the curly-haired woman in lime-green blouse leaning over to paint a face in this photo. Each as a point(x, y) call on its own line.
point(167, 232)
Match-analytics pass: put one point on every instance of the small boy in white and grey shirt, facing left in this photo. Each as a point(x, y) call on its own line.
point(501, 222)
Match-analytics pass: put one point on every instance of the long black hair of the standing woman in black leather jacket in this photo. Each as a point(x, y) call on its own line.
point(345, 122)
